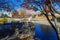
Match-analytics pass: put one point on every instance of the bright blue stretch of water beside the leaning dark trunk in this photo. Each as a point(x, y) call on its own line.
point(44, 32)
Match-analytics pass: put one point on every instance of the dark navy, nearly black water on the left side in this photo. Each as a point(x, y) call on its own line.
point(8, 29)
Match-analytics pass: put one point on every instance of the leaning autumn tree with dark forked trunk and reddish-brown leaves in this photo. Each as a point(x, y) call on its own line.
point(43, 4)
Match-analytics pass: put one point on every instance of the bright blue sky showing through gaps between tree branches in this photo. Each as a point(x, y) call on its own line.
point(16, 4)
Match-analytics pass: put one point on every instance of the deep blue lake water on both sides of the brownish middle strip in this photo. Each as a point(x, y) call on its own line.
point(42, 32)
